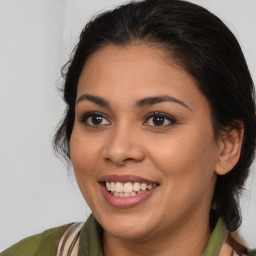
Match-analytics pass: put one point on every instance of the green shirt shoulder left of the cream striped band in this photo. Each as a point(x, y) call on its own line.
point(45, 243)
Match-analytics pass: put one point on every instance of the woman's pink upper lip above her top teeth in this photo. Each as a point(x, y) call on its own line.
point(125, 178)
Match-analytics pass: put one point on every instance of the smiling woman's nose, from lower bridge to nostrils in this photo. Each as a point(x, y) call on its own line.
point(123, 146)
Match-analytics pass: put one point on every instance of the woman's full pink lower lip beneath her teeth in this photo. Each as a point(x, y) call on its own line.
point(125, 202)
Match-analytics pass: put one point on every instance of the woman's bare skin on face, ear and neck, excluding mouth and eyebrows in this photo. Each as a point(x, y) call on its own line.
point(182, 156)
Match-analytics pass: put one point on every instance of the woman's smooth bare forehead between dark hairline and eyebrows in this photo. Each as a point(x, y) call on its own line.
point(136, 71)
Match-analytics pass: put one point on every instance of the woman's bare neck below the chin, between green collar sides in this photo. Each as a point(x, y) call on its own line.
point(190, 239)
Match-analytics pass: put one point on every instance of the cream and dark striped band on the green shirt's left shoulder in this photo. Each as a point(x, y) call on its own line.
point(68, 245)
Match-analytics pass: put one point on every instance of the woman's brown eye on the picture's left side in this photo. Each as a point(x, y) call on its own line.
point(94, 119)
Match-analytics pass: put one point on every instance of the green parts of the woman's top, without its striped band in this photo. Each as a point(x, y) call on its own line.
point(46, 243)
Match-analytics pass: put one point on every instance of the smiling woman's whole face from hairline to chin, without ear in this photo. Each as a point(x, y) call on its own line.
point(142, 146)
